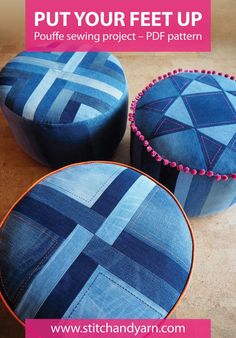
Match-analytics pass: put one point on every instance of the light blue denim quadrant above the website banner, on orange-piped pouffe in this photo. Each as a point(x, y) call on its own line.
point(107, 296)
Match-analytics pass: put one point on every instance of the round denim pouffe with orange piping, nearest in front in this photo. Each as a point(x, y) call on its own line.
point(95, 240)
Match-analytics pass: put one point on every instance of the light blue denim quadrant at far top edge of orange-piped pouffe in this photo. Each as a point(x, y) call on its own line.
point(84, 183)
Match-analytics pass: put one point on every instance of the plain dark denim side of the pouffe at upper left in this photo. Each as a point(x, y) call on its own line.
point(59, 145)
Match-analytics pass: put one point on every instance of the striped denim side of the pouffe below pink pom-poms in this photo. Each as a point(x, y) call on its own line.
point(199, 195)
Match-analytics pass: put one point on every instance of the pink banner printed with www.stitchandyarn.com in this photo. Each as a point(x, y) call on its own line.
point(179, 328)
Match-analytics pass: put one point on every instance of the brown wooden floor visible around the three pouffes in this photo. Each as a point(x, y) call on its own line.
point(212, 291)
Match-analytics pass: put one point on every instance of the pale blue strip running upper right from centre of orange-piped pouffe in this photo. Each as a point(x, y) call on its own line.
point(125, 209)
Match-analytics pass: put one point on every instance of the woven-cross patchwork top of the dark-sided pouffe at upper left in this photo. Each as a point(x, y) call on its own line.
point(61, 88)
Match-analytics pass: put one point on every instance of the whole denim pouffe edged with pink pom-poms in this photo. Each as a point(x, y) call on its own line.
point(184, 135)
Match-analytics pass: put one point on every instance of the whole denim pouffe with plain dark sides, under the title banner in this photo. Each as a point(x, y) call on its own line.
point(65, 107)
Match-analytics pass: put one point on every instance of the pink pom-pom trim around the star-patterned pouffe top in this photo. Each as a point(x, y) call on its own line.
point(153, 153)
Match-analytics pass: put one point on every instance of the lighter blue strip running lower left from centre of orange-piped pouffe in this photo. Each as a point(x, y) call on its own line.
point(52, 272)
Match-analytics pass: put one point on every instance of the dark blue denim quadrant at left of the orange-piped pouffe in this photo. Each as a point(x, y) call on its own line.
point(25, 246)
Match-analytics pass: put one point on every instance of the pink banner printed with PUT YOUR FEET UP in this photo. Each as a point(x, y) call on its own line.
point(92, 25)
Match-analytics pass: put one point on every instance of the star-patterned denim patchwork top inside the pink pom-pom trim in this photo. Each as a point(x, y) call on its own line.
point(189, 118)
